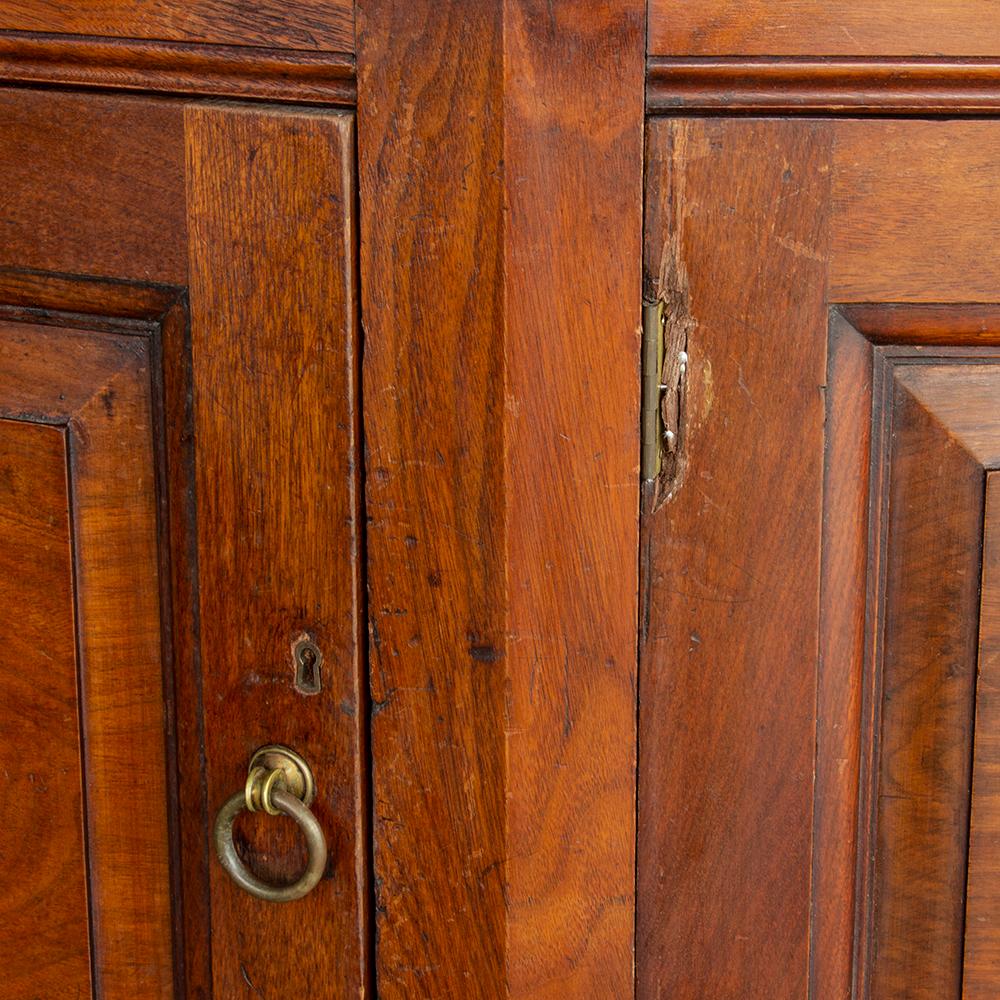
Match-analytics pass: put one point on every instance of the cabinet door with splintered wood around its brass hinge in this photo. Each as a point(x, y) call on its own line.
point(818, 770)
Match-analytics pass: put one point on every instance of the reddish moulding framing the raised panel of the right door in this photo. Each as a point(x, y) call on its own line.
point(866, 343)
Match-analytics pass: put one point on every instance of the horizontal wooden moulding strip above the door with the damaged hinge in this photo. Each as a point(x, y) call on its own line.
point(803, 85)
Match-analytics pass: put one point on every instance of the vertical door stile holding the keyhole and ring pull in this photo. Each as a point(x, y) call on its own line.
point(274, 349)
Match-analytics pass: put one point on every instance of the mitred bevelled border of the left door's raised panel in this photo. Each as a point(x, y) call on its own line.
point(98, 386)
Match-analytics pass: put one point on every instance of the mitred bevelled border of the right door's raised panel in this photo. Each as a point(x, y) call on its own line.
point(927, 607)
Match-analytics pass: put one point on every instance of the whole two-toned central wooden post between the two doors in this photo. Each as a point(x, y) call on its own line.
point(500, 407)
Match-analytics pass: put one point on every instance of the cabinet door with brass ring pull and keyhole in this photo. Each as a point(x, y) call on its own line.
point(178, 523)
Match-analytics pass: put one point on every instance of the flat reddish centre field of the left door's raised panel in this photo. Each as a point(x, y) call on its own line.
point(43, 861)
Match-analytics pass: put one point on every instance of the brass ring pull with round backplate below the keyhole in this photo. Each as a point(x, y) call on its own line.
point(278, 781)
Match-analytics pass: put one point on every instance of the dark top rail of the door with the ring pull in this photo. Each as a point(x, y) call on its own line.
point(93, 185)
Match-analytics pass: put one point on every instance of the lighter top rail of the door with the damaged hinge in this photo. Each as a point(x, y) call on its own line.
point(885, 242)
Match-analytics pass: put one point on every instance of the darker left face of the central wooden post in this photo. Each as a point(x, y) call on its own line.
point(432, 265)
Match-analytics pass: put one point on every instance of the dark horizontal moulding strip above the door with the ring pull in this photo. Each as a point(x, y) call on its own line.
point(178, 68)
